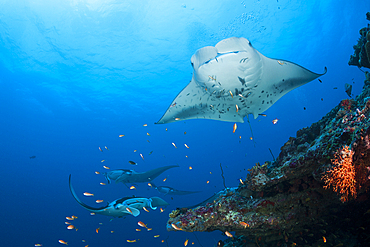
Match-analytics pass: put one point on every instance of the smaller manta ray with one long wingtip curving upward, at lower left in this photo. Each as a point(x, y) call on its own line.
point(122, 207)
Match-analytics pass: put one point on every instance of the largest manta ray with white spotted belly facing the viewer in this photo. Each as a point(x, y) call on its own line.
point(232, 80)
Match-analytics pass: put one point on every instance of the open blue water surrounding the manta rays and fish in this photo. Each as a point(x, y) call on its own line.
point(74, 75)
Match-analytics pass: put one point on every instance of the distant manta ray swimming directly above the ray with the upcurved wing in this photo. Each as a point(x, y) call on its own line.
point(131, 176)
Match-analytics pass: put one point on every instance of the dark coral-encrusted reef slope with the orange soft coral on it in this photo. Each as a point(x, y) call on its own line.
point(316, 192)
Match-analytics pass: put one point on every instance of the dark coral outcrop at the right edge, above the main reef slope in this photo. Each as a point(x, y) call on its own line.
point(361, 56)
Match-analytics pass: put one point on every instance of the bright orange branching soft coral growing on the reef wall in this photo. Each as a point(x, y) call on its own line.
point(341, 177)
